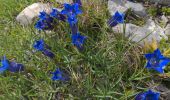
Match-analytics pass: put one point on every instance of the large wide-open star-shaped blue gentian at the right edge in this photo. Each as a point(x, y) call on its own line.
point(156, 61)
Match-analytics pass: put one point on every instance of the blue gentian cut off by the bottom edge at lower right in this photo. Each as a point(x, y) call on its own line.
point(148, 95)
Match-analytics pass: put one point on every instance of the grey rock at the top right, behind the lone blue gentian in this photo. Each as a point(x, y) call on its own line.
point(123, 5)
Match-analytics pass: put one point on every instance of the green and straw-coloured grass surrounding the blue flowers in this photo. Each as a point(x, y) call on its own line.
point(109, 67)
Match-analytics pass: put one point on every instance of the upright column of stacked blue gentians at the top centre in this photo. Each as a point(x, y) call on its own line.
point(71, 11)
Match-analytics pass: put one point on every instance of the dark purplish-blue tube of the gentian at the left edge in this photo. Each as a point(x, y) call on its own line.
point(16, 67)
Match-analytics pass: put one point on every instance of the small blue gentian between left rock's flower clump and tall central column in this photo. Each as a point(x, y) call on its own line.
point(56, 14)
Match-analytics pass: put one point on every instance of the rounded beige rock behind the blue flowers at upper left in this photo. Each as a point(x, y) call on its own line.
point(29, 13)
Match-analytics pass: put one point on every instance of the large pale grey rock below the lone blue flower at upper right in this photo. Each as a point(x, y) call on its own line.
point(146, 33)
